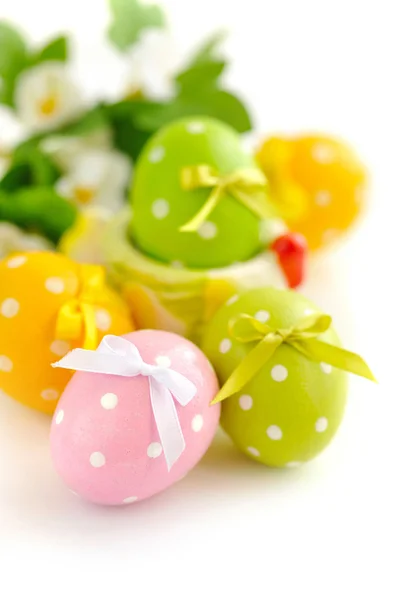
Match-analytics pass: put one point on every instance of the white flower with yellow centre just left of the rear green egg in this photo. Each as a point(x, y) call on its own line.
point(97, 178)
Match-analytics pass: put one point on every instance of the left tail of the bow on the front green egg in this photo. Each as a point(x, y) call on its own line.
point(249, 367)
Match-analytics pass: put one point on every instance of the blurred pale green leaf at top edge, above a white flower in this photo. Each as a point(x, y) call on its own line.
point(130, 17)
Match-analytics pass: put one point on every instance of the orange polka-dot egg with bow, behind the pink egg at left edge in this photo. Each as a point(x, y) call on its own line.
point(49, 305)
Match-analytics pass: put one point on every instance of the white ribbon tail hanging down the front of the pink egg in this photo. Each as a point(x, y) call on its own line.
point(167, 422)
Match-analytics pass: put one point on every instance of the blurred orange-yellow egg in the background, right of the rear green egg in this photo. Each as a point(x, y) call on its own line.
point(318, 184)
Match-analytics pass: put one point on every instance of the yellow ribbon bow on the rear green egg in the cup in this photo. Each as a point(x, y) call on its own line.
point(248, 185)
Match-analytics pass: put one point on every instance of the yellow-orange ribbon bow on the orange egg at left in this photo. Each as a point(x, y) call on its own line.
point(77, 316)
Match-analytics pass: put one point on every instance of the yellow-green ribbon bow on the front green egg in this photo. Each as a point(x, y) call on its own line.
point(302, 337)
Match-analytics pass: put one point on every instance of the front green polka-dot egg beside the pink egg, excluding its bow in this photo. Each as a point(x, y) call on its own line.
point(289, 411)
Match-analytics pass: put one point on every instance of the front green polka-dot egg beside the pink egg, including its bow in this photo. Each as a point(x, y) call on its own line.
point(283, 375)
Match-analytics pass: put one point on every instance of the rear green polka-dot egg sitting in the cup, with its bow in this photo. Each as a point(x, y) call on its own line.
point(198, 197)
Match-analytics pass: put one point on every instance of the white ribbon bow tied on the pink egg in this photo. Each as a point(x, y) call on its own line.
point(117, 356)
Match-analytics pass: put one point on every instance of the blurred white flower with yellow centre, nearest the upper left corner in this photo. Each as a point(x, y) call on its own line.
point(46, 97)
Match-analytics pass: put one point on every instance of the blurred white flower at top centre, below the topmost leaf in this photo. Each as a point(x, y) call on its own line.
point(152, 64)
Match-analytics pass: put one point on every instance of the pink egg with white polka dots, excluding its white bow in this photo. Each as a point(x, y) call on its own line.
point(105, 441)
